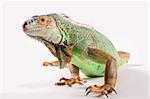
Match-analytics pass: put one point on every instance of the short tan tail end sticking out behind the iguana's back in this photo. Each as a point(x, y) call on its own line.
point(124, 57)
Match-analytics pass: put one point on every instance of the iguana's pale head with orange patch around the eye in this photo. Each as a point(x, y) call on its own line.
point(42, 28)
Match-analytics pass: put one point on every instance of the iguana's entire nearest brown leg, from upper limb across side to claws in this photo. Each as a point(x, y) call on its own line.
point(110, 74)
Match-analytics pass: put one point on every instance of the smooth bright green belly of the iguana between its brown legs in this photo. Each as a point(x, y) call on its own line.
point(88, 67)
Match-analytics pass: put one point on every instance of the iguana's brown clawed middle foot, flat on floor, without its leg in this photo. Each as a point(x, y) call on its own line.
point(70, 81)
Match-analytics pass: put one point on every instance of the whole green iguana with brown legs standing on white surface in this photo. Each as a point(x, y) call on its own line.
point(78, 47)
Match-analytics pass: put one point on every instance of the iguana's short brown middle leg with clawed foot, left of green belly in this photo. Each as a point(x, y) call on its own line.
point(75, 78)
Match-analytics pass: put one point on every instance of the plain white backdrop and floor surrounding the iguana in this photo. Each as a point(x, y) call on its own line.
point(124, 23)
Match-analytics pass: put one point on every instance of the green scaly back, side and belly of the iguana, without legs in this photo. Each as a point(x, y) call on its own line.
point(83, 38)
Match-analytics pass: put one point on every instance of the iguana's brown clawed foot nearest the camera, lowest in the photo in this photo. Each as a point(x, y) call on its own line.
point(100, 90)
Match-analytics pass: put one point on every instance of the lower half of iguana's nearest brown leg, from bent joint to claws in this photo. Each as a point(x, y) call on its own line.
point(110, 80)
